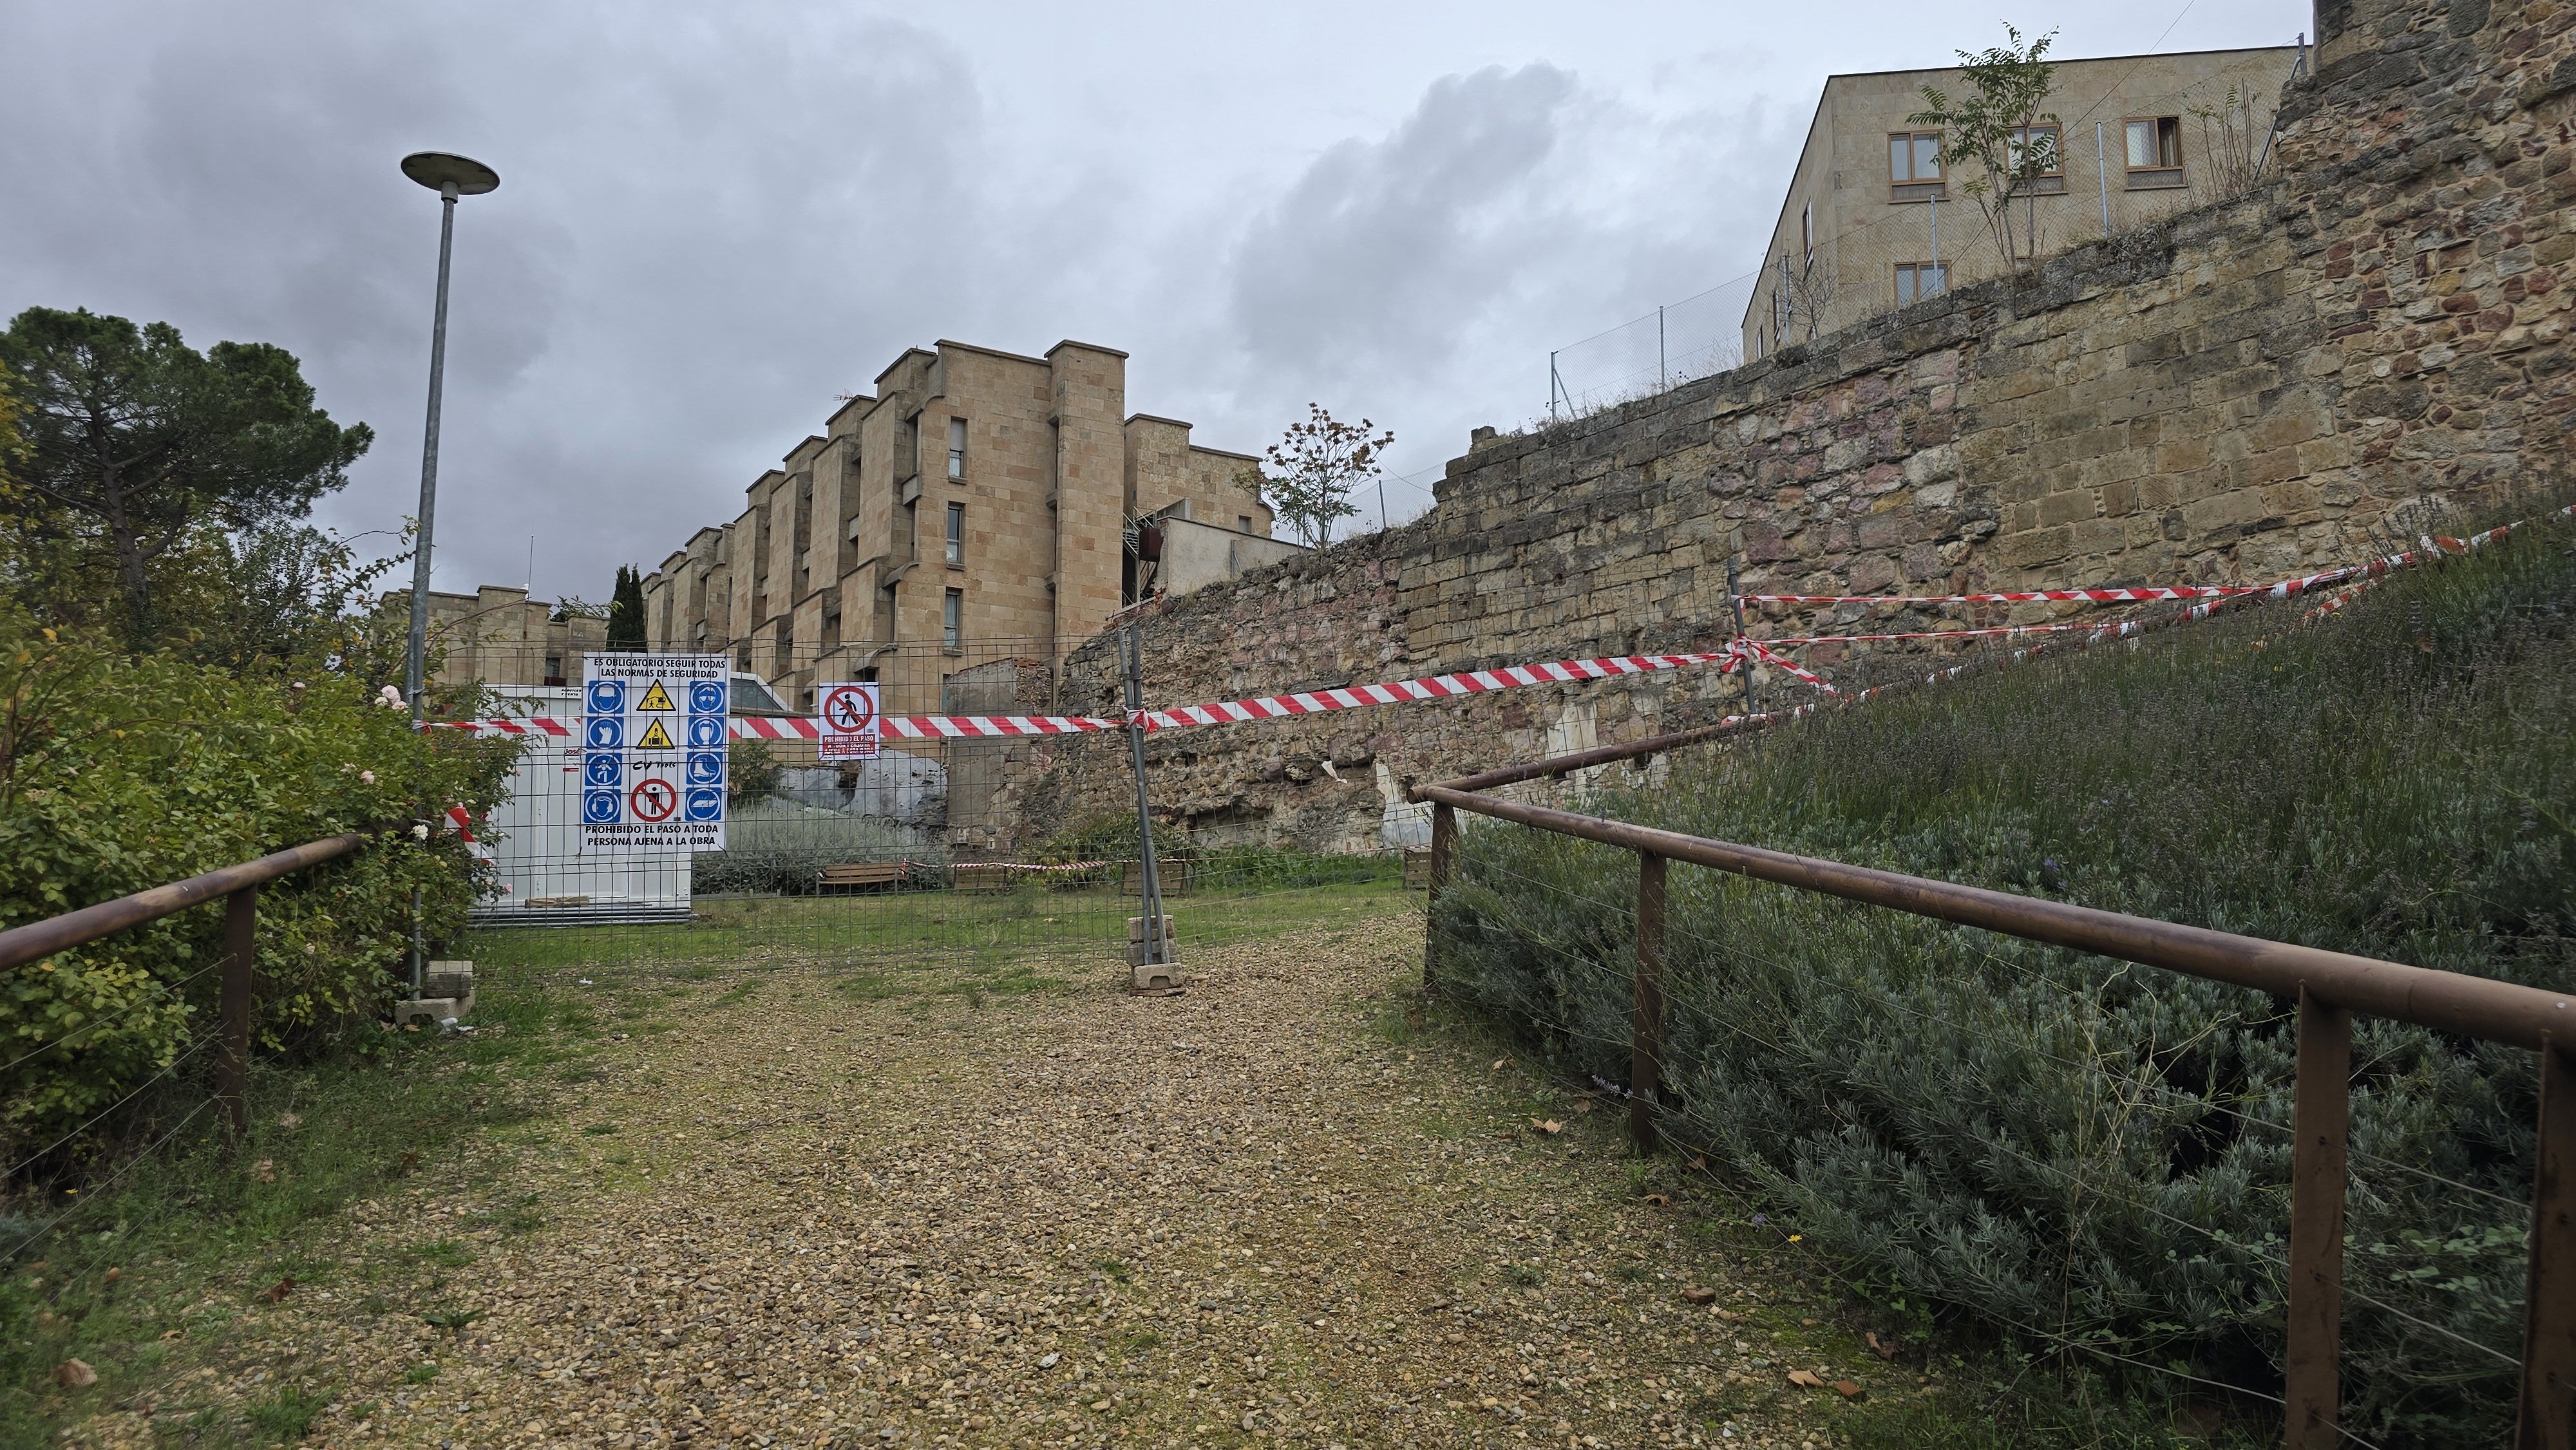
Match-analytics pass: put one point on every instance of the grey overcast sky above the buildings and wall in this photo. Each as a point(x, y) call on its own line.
point(717, 218)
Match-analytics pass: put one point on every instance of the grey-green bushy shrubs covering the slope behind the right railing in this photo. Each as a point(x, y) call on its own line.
point(2075, 1147)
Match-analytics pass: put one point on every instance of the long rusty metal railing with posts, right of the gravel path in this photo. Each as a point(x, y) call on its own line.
point(2330, 988)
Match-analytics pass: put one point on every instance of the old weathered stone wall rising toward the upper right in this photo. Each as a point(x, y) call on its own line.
point(2240, 393)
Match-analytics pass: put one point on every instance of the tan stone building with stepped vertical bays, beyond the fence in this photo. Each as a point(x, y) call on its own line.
point(975, 501)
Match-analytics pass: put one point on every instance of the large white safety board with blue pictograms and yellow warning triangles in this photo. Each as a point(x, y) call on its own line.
point(653, 751)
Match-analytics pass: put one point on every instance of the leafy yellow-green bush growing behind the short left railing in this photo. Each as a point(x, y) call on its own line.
point(120, 774)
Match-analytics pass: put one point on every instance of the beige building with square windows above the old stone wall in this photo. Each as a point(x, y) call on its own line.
point(1871, 223)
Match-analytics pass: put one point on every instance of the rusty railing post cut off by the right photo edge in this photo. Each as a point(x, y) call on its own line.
point(2549, 1302)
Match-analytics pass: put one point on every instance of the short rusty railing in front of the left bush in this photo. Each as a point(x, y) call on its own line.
point(241, 892)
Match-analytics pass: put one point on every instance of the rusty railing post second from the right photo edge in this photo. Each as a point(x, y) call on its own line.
point(2317, 1225)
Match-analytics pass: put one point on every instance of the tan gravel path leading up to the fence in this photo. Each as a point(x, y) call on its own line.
point(1269, 1212)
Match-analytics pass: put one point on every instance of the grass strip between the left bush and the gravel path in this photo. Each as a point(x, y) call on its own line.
point(192, 1225)
